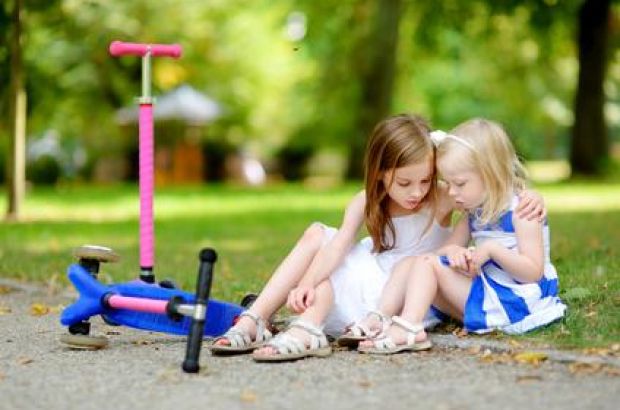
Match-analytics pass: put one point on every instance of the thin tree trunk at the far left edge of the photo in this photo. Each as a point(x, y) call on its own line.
point(16, 164)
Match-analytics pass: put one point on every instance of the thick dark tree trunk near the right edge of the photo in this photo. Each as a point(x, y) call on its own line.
point(590, 144)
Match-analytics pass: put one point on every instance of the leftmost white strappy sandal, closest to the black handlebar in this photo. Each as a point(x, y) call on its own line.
point(240, 340)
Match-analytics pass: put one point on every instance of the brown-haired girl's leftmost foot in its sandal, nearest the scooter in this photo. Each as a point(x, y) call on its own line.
point(247, 334)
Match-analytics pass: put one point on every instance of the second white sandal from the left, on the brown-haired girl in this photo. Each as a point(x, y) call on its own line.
point(291, 348)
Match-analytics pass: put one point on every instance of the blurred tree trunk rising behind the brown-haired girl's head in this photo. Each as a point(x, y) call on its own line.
point(377, 79)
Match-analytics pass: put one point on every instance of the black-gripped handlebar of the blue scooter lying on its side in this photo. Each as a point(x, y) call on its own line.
point(203, 288)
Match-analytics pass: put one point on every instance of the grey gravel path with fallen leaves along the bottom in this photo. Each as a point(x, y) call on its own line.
point(141, 370)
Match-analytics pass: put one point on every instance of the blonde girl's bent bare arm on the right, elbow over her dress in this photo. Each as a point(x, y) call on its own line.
point(526, 265)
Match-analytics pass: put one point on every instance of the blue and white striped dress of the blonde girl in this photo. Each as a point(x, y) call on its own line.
point(496, 300)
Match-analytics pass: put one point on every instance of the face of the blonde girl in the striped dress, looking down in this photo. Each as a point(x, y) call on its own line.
point(465, 185)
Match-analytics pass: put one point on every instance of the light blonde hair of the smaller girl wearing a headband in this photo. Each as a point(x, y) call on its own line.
point(486, 148)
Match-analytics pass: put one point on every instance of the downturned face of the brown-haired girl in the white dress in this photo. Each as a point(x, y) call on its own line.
point(407, 186)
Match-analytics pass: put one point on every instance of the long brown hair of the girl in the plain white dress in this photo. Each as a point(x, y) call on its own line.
point(396, 142)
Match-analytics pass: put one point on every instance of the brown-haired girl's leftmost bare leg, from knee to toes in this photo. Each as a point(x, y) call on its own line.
point(286, 277)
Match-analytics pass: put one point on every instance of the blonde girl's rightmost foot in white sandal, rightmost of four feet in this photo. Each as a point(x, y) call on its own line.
point(401, 336)
